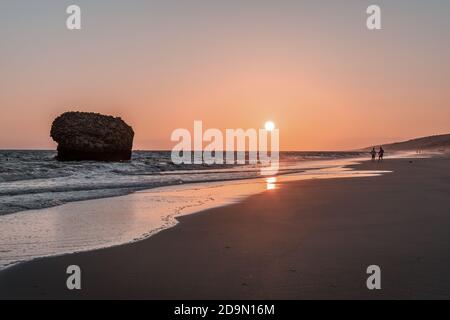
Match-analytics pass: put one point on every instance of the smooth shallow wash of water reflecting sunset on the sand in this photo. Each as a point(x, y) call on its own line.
point(100, 223)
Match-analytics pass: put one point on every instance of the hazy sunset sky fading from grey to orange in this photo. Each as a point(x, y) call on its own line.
point(310, 66)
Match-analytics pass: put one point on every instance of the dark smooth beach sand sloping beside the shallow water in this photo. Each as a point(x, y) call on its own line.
point(302, 240)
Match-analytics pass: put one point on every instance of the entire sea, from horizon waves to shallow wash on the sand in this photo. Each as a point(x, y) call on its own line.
point(50, 208)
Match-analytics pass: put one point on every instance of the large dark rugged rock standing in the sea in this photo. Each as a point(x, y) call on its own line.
point(92, 136)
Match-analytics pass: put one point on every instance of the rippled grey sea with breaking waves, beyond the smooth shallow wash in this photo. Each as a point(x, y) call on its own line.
point(35, 180)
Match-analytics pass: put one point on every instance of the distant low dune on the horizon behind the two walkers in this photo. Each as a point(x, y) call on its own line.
point(432, 143)
